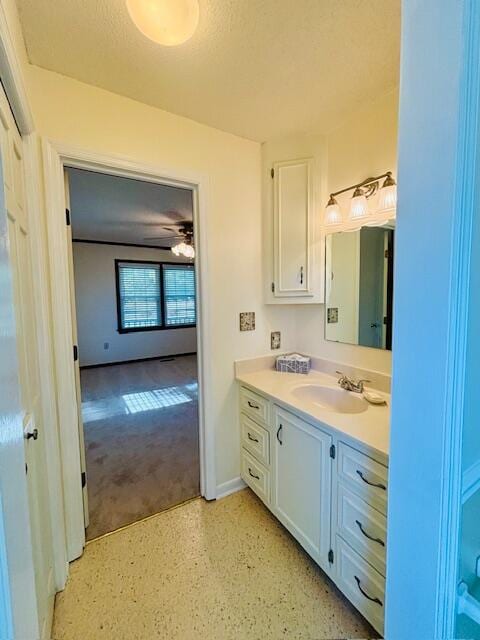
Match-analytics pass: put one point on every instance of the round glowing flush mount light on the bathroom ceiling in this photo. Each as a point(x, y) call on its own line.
point(167, 22)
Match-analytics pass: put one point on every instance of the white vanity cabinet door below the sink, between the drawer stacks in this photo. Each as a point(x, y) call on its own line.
point(302, 467)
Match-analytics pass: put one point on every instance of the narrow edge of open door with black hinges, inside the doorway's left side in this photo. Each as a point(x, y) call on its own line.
point(81, 436)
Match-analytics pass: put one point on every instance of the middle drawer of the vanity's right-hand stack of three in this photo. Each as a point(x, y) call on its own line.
point(362, 526)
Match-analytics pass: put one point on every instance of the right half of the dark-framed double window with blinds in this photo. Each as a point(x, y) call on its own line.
point(179, 293)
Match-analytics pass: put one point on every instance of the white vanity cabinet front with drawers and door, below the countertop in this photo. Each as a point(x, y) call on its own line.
point(328, 490)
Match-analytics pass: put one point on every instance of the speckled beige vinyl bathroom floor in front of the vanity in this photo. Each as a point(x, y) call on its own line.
point(224, 570)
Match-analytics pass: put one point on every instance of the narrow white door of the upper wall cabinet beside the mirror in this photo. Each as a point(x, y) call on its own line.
point(293, 227)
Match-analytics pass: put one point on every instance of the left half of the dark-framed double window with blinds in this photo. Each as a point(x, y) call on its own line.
point(139, 293)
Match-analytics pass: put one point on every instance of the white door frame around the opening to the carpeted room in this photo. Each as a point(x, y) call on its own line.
point(57, 156)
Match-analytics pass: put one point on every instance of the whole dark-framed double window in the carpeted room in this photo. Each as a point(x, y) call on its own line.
point(154, 295)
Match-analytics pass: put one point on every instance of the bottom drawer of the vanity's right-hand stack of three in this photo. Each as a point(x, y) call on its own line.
point(362, 585)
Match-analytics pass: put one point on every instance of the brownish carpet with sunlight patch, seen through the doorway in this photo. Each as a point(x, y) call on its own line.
point(141, 439)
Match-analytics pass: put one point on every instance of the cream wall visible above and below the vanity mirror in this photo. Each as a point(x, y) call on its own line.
point(366, 144)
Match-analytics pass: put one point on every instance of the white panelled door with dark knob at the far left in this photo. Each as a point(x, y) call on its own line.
point(30, 409)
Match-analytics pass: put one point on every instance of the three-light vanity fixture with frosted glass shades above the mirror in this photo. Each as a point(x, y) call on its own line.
point(361, 192)
